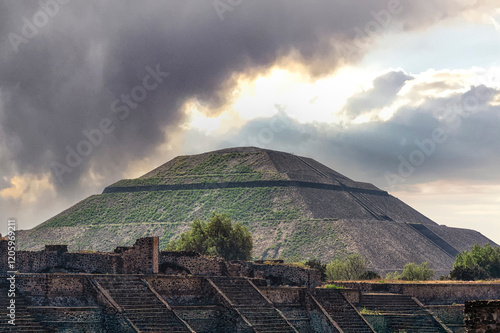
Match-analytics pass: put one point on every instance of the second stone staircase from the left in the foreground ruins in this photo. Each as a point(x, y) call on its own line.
point(140, 305)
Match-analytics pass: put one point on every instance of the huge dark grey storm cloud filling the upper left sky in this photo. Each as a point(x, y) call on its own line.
point(62, 78)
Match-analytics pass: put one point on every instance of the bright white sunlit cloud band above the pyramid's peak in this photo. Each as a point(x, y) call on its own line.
point(348, 95)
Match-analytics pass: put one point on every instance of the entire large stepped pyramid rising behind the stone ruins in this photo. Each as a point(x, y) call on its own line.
point(295, 207)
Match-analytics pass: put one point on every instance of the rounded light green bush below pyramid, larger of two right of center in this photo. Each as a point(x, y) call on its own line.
point(351, 268)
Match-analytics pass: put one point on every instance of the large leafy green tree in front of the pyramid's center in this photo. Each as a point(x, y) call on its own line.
point(219, 236)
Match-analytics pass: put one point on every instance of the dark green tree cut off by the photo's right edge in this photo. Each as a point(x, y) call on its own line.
point(477, 264)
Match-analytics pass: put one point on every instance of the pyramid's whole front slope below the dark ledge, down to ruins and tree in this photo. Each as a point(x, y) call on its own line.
point(278, 220)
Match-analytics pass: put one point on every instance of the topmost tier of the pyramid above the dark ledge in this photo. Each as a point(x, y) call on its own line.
point(240, 164)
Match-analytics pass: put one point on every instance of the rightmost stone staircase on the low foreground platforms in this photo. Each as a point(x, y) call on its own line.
point(401, 313)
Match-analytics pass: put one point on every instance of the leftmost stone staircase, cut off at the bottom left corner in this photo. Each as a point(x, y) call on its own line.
point(24, 321)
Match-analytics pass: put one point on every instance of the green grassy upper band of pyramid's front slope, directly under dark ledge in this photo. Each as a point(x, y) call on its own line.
point(262, 203)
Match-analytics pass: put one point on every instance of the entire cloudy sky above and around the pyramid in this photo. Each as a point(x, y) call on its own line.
point(402, 94)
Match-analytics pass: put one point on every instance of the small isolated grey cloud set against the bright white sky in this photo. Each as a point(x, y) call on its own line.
point(383, 92)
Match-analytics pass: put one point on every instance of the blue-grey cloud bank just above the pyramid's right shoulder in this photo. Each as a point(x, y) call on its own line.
point(467, 147)
